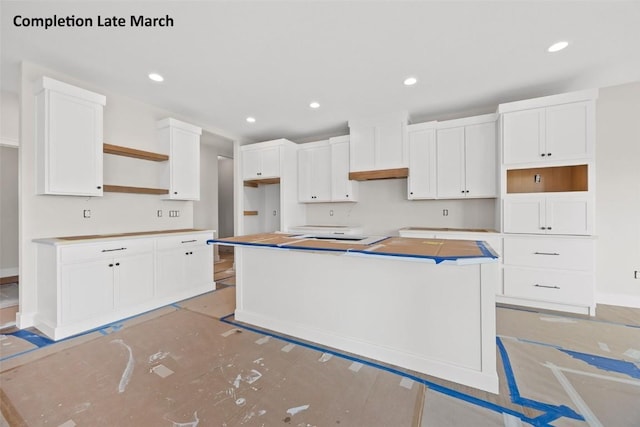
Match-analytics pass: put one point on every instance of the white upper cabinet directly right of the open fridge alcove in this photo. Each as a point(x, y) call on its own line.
point(314, 172)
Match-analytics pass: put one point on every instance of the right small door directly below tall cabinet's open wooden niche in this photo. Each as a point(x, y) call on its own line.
point(569, 214)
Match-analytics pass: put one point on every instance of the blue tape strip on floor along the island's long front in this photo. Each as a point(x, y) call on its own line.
point(432, 386)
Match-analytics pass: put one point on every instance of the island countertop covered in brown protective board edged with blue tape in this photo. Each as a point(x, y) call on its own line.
point(436, 250)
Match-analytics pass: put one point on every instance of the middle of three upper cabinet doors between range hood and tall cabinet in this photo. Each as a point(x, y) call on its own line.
point(450, 155)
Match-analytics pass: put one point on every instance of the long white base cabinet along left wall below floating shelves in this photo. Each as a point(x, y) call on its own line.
point(85, 284)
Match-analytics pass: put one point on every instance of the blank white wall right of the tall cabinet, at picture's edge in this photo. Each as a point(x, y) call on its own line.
point(618, 195)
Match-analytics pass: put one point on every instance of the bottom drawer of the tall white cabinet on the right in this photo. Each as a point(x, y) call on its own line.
point(575, 288)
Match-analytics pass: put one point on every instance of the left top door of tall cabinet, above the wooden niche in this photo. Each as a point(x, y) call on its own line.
point(522, 136)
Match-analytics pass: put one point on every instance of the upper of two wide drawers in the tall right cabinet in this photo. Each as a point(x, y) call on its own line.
point(567, 254)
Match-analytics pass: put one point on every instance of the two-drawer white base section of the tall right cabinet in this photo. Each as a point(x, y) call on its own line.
point(550, 272)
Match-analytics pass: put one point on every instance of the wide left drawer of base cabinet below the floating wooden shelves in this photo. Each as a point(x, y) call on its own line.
point(111, 249)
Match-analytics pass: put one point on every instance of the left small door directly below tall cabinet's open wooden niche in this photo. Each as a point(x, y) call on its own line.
point(524, 215)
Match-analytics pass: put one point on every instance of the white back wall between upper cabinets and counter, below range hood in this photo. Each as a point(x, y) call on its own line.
point(383, 208)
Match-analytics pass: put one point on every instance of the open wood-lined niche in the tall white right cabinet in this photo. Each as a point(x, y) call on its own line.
point(548, 180)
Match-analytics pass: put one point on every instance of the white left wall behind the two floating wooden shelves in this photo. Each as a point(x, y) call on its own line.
point(127, 122)
